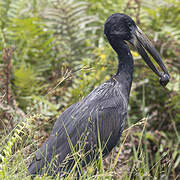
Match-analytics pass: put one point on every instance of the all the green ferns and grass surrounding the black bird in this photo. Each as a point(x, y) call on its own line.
point(53, 53)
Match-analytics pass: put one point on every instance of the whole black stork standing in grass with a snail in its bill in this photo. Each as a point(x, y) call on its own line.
point(103, 112)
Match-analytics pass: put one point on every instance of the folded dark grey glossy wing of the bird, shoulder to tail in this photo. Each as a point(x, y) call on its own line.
point(104, 108)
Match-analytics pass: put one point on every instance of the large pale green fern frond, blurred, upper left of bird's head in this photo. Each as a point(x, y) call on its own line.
point(72, 27)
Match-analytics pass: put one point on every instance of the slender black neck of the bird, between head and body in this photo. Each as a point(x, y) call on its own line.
point(124, 73)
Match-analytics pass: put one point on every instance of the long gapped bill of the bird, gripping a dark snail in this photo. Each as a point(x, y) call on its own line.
point(143, 44)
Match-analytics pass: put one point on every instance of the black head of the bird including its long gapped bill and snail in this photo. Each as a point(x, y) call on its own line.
point(120, 27)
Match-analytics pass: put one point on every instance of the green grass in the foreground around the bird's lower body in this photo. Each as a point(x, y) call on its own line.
point(149, 157)
